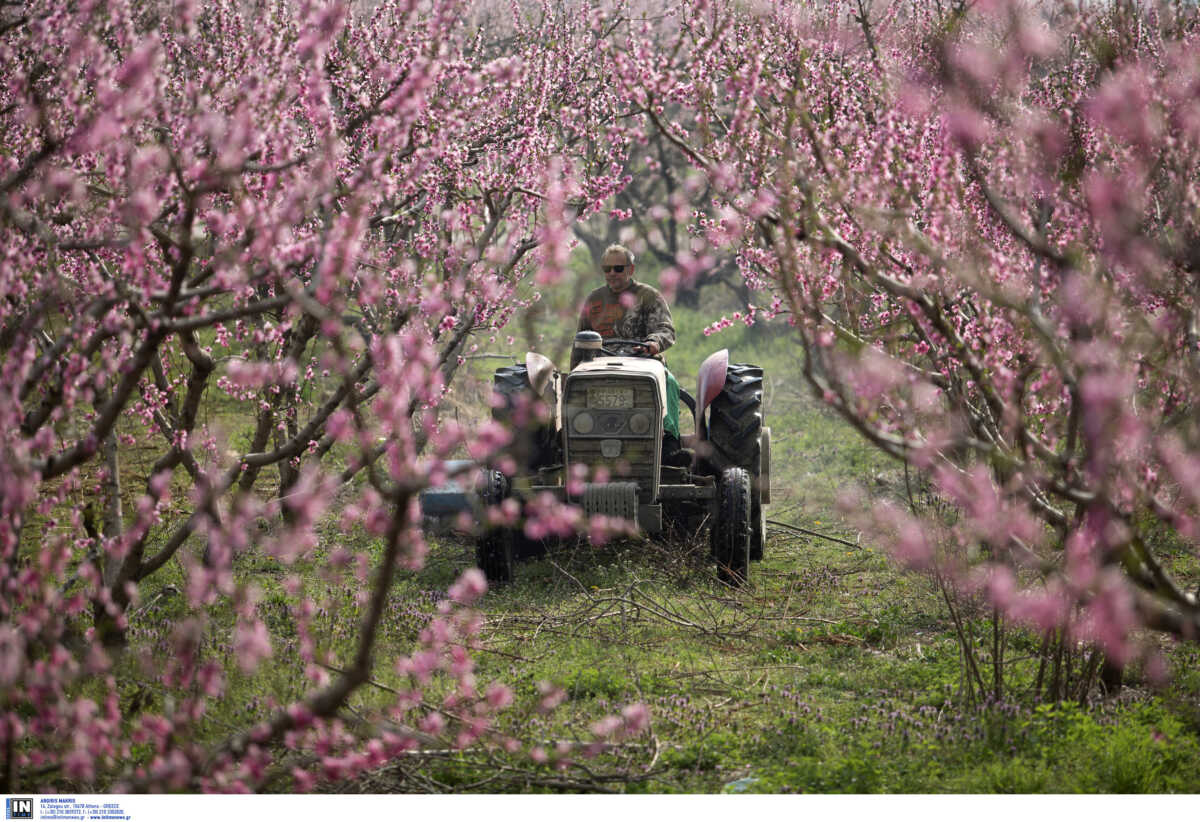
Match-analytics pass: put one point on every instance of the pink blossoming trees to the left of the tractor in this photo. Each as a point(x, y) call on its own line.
point(298, 213)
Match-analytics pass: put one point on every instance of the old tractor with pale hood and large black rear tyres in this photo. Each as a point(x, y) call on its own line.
point(608, 416)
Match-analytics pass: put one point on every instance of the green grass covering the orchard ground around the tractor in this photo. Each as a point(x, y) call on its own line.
point(833, 671)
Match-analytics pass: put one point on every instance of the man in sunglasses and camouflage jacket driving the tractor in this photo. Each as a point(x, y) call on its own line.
point(627, 309)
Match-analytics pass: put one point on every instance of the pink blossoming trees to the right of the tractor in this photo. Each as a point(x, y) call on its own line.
point(981, 221)
